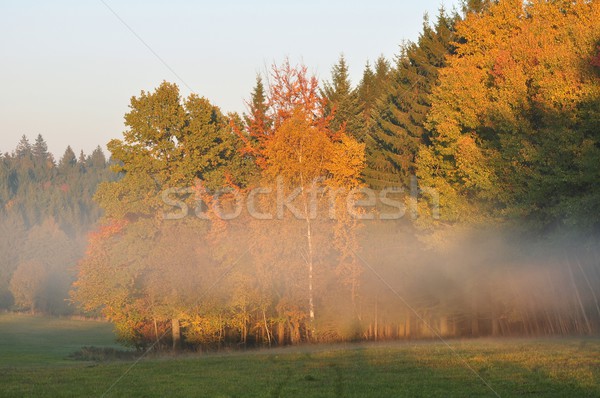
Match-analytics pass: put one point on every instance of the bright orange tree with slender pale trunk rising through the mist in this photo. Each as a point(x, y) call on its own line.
point(300, 155)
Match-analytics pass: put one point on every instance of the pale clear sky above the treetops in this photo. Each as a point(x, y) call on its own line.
point(68, 69)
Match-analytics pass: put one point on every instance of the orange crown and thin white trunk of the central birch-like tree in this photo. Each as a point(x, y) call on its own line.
point(302, 152)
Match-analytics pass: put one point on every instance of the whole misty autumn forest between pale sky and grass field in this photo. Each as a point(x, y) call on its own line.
point(453, 192)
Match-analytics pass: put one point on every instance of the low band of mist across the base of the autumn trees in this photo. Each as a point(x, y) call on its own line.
point(247, 282)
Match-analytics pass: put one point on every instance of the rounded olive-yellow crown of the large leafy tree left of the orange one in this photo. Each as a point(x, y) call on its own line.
point(170, 144)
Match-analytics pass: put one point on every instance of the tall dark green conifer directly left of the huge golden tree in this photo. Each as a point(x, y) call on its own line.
point(398, 129)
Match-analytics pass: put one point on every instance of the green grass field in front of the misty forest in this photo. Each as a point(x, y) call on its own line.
point(34, 363)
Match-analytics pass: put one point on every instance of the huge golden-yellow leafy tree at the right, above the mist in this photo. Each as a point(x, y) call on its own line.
point(506, 118)
